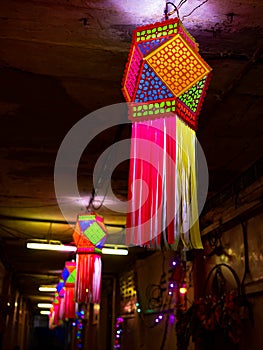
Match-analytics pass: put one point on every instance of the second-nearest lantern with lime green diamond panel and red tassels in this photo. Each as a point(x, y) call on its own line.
point(89, 236)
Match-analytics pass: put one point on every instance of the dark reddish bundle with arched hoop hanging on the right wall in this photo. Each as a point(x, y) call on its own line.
point(218, 318)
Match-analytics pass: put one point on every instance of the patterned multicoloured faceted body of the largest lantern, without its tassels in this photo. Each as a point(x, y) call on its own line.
point(165, 74)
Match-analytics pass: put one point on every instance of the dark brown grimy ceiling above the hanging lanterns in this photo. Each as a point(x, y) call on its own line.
point(62, 60)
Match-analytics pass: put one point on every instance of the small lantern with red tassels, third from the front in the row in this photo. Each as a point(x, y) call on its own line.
point(69, 275)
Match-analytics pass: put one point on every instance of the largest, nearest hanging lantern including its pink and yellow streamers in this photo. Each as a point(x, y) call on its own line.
point(165, 83)
